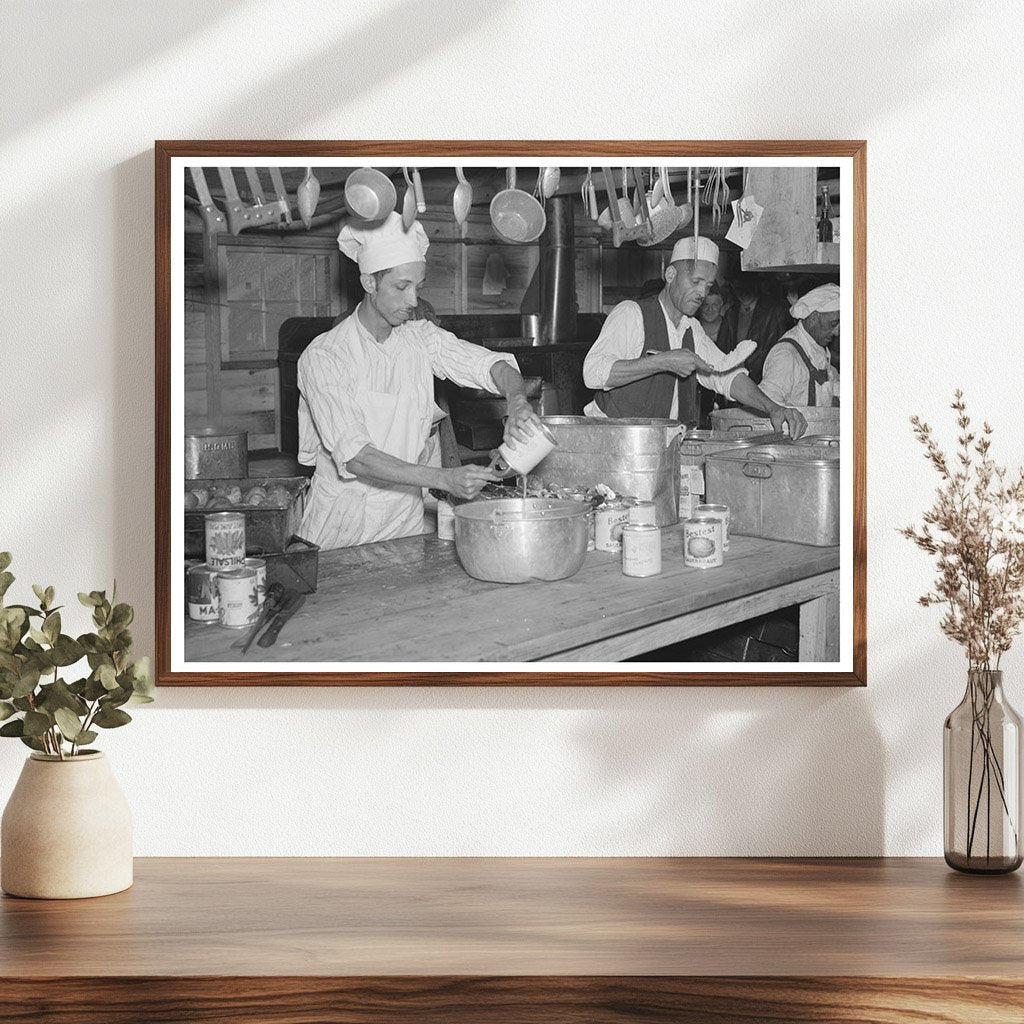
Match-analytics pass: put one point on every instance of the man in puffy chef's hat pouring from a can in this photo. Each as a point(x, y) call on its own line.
point(367, 408)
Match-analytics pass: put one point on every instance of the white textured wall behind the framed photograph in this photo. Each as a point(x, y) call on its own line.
point(936, 90)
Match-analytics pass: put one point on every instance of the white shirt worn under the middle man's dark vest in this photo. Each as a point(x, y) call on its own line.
point(622, 337)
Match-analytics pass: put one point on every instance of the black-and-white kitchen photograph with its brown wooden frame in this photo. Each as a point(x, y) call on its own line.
point(492, 413)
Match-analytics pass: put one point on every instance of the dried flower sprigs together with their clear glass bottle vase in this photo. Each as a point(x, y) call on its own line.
point(976, 531)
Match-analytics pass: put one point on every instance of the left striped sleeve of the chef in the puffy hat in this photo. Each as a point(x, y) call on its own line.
point(335, 420)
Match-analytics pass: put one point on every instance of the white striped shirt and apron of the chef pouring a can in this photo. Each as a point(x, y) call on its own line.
point(355, 392)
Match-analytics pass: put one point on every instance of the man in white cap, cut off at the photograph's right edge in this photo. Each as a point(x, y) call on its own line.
point(798, 370)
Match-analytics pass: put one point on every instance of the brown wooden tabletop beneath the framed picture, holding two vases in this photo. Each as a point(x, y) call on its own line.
point(504, 941)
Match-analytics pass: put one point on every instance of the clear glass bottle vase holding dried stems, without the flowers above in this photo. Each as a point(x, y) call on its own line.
point(982, 759)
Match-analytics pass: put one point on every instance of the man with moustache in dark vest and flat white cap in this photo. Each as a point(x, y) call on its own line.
point(651, 355)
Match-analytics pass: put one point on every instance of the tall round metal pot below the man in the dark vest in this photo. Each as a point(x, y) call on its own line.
point(635, 457)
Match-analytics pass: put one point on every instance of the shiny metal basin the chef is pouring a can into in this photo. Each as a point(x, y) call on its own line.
point(516, 541)
